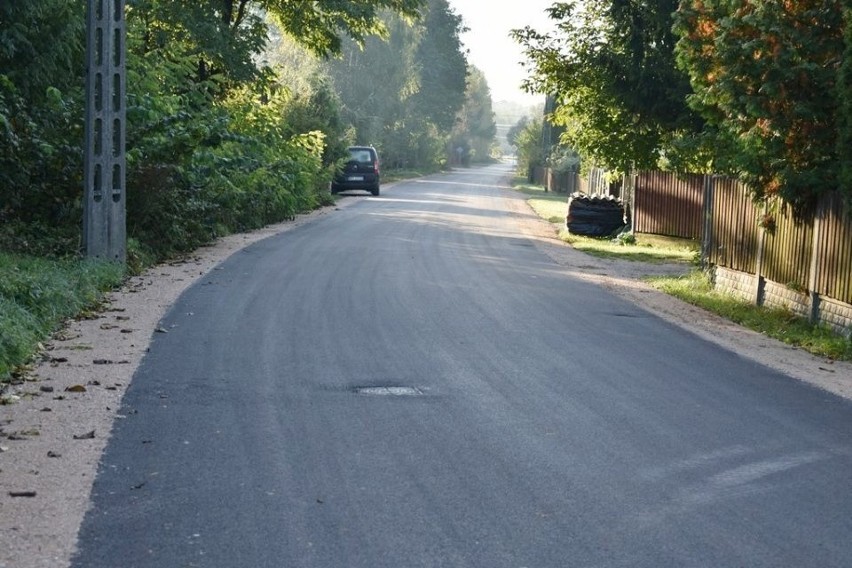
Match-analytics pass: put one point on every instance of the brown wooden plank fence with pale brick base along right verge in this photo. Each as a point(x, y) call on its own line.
point(801, 262)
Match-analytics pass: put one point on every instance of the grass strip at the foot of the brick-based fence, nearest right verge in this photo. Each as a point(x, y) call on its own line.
point(780, 324)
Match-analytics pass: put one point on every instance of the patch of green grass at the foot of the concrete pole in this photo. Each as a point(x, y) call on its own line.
point(37, 295)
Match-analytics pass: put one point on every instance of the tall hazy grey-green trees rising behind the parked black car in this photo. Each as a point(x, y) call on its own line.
point(402, 95)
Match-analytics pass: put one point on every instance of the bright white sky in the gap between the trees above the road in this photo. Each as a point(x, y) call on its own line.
point(490, 47)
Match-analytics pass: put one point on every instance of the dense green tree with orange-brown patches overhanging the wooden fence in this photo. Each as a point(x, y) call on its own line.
point(765, 76)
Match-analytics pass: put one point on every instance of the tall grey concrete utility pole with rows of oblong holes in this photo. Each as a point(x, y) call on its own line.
point(104, 197)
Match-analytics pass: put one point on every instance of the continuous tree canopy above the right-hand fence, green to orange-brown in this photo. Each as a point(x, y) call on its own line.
point(759, 90)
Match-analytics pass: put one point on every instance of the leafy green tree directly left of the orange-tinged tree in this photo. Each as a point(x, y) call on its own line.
point(611, 66)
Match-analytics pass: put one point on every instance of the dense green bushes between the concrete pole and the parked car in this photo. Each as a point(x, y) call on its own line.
point(229, 167)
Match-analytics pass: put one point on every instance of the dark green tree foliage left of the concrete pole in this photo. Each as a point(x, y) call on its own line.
point(41, 109)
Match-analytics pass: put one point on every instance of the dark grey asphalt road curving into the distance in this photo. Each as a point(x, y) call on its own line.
point(410, 383)
